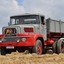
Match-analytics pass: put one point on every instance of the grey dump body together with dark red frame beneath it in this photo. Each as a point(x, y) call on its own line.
point(54, 28)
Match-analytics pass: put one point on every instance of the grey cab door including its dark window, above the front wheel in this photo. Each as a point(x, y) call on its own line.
point(43, 27)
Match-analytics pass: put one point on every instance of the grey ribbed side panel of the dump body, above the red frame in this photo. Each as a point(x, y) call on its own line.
point(54, 26)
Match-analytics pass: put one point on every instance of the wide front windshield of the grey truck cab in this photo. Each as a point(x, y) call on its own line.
point(28, 19)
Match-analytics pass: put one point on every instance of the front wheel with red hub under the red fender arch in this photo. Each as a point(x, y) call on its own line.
point(38, 47)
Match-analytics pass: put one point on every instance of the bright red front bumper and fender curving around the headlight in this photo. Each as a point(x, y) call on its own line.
point(30, 40)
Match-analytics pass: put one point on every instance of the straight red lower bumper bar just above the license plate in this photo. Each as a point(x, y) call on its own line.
point(4, 44)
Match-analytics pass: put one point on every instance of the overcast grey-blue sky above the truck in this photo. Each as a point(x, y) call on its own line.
point(50, 8)
